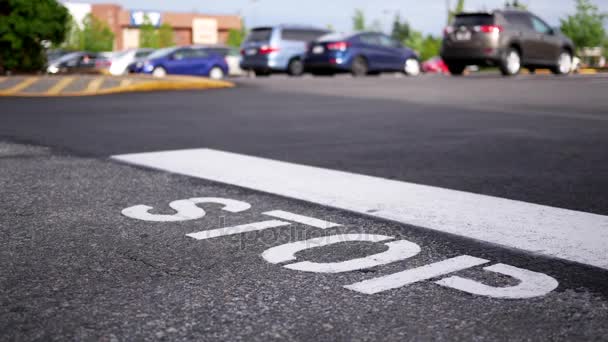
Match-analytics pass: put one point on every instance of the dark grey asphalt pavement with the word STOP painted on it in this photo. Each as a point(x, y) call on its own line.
point(81, 261)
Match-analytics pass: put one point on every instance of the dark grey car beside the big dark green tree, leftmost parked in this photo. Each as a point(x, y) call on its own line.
point(77, 62)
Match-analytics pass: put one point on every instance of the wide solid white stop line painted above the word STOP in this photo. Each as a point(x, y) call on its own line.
point(567, 234)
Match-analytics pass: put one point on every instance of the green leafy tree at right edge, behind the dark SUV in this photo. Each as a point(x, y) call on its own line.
point(586, 26)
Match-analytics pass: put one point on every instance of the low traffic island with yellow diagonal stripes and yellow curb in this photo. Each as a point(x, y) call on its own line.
point(87, 85)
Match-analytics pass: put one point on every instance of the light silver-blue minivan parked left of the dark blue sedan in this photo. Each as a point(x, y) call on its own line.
point(277, 49)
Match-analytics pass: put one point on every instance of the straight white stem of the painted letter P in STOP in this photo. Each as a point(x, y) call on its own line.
point(414, 275)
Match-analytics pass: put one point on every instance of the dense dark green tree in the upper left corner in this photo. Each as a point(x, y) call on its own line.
point(24, 26)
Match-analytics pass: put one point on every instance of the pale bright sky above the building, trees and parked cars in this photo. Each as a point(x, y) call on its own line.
point(428, 16)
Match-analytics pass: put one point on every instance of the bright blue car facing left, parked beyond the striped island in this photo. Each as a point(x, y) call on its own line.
point(189, 60)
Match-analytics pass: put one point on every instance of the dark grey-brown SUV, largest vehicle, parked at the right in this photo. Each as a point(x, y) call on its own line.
point(509, 39)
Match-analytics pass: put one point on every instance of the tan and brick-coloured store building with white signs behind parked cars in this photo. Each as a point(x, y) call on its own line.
point(188, 28)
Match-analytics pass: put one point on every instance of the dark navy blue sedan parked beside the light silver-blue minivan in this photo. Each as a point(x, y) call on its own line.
point(360, 54)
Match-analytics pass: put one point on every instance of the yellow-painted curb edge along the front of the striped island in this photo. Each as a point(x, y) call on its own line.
point(145, 84)
